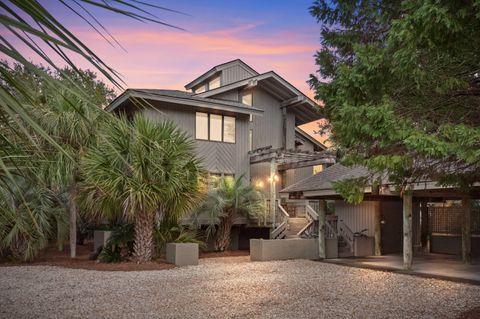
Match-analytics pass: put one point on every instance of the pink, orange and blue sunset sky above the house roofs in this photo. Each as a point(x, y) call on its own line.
point(268, 35)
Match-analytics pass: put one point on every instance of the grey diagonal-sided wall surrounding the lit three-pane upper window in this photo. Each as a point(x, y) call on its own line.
point(217, 157)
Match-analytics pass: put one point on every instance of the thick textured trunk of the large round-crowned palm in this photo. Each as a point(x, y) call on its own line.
point(143, 241)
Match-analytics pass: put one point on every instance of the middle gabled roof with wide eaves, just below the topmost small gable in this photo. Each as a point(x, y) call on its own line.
point(305, 109)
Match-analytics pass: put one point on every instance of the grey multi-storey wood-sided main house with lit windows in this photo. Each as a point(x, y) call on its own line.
point(243, 123)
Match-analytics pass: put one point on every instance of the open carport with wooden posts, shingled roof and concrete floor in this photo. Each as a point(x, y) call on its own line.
point(444, 225)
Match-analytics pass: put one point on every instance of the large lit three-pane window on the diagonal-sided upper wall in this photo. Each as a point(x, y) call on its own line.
point(215, 127)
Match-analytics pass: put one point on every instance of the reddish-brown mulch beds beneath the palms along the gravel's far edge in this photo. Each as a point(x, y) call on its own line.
point(52, 257)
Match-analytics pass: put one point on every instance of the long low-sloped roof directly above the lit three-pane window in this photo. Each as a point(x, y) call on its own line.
point(183, 98)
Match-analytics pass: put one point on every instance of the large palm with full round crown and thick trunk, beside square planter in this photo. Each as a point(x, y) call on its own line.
point(141, 170)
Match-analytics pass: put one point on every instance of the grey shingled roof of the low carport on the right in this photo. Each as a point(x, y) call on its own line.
point(323, 180)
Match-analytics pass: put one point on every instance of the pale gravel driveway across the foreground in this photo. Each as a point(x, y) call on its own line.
point(230, 287)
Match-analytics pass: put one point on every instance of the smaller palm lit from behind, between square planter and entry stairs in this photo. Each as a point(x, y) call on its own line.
point(227, 201)
